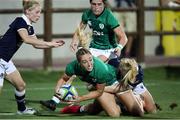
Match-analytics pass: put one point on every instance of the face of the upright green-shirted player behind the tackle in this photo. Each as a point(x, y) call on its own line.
point(97, 6)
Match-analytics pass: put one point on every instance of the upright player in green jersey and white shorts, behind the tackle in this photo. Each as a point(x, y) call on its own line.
point(105, 29)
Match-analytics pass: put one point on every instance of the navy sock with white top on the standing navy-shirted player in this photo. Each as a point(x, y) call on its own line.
point(20, 99)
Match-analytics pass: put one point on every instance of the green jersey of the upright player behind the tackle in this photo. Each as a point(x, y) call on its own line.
point(102, 27)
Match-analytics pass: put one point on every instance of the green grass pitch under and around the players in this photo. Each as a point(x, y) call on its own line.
point(40, 86)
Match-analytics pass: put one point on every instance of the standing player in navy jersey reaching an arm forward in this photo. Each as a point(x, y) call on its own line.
point(21, 30)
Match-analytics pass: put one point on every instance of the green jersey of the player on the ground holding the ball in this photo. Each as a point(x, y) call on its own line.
point(101, 73)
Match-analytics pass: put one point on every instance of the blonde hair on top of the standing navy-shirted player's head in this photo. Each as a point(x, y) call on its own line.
point(30, 4)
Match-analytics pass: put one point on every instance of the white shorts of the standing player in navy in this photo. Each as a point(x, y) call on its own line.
point(5, 68)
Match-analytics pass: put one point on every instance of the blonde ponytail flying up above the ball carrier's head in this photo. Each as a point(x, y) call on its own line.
point(84, 37)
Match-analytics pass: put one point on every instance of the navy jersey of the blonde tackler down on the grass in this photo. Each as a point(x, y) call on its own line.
point(139, 77)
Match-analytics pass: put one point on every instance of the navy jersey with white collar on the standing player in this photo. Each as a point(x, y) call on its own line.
point(11, 40)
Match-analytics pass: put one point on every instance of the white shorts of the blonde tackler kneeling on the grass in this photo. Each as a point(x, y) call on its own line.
point(139, 89)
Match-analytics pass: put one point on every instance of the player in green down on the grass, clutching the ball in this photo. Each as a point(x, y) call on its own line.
point(94, 71)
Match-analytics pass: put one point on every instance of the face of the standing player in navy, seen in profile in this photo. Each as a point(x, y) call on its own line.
point(34, 14)
